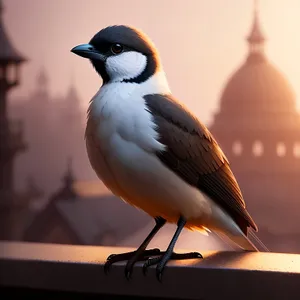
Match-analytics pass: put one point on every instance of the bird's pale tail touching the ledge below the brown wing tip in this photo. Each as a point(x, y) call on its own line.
point(244, 242)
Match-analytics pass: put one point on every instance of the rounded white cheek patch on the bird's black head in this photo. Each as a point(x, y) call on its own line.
point(125, 66)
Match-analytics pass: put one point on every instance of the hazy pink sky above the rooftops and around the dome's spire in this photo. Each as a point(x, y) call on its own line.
point(201, 42)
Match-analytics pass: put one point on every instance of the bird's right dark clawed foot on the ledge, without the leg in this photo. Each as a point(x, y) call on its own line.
point(164, 257)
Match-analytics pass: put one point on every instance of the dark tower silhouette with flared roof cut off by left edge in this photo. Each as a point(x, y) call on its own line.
point(11, 132)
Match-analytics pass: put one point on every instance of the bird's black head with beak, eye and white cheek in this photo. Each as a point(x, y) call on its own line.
point(121, 53)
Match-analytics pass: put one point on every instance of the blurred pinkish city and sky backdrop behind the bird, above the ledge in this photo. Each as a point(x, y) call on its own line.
point(234, 63)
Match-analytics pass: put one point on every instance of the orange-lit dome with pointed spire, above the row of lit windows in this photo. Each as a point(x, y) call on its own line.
point(257, 96)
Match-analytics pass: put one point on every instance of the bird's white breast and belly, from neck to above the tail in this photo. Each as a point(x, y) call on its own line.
point(121, 141)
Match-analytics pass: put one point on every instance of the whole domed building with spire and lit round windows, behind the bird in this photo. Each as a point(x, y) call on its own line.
point(258, 127)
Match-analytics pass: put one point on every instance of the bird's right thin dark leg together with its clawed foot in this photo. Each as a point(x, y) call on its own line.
point(169, 254)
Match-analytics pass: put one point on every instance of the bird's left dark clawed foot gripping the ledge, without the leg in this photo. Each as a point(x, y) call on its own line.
point(131, 257)
